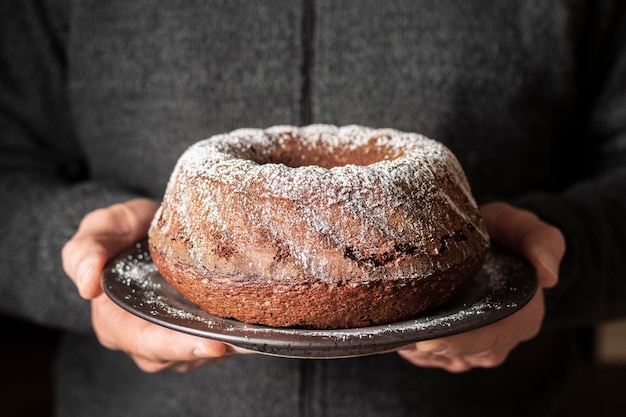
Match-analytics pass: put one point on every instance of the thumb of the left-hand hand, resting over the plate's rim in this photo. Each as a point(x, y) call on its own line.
point(101, 235)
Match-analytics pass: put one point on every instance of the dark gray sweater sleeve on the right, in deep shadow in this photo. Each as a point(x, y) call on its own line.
point(591, 211)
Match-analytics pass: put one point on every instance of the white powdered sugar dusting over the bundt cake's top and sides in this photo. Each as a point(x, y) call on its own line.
point(332, 210)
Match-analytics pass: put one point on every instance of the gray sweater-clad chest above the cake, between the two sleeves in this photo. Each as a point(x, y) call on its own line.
point(493, 81)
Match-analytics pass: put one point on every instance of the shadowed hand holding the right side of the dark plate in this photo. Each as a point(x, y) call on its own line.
point(543, 246)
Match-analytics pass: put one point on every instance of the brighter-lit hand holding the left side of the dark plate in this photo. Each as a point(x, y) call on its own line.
point(101, 235)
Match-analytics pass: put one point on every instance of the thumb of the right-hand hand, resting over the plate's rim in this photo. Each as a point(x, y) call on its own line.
point(523, 232)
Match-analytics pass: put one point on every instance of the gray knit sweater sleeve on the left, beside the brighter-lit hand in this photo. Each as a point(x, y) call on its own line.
point(45, 186)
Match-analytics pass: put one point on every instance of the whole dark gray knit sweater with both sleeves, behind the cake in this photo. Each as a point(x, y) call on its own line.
point(99, 98)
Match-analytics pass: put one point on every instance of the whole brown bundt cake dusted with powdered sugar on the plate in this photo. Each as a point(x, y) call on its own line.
point(318, 226)
